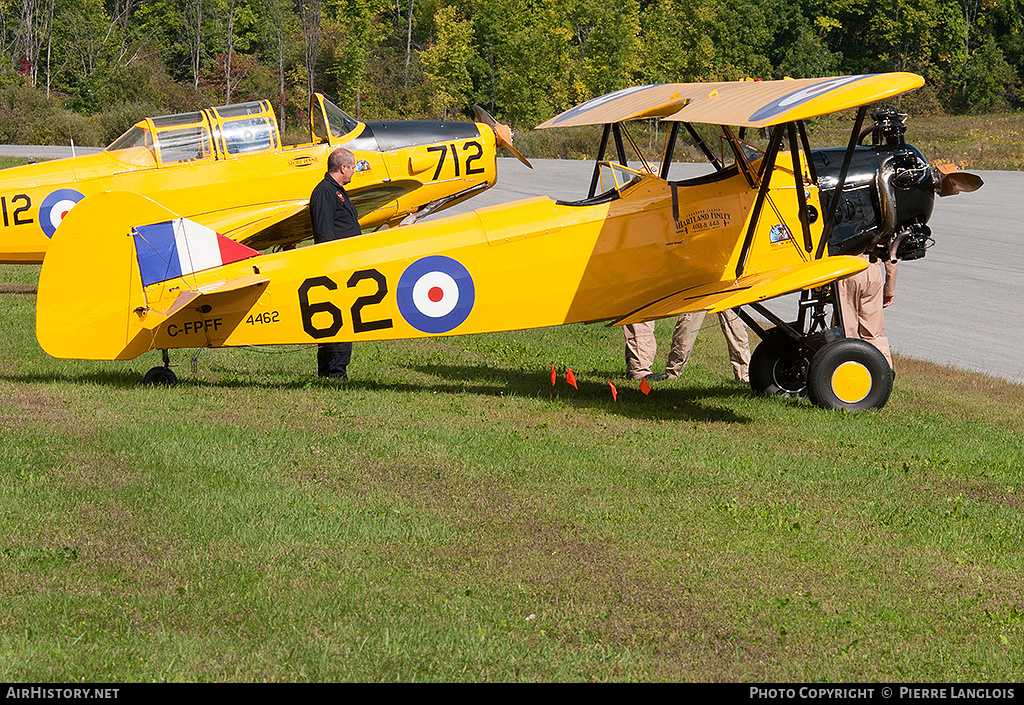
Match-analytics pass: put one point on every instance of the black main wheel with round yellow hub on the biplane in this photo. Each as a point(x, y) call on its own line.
point(851, 376)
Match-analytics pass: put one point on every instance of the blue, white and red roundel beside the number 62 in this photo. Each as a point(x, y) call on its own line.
point(436, 295)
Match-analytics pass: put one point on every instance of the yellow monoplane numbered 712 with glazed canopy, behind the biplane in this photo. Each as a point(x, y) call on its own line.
point(227, 170)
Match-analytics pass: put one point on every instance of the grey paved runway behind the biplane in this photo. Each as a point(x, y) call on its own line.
point(962, 306)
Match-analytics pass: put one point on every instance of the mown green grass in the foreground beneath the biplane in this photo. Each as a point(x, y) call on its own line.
point(450, 516)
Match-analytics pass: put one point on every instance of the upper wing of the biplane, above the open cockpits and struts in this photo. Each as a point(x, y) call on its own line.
point(750, 104)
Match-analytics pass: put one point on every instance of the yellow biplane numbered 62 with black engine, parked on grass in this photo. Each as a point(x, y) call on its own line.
point(641, 246)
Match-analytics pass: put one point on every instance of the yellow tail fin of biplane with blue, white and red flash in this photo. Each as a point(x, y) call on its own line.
point(93, 288)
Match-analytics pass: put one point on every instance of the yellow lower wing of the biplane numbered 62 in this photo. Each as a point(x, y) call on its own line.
point(724, 296)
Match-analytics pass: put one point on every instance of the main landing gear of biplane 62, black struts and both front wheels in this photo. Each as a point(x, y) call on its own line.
point(809, 358)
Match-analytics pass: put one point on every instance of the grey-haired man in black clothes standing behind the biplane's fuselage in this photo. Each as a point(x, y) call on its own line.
point(334, 218)
